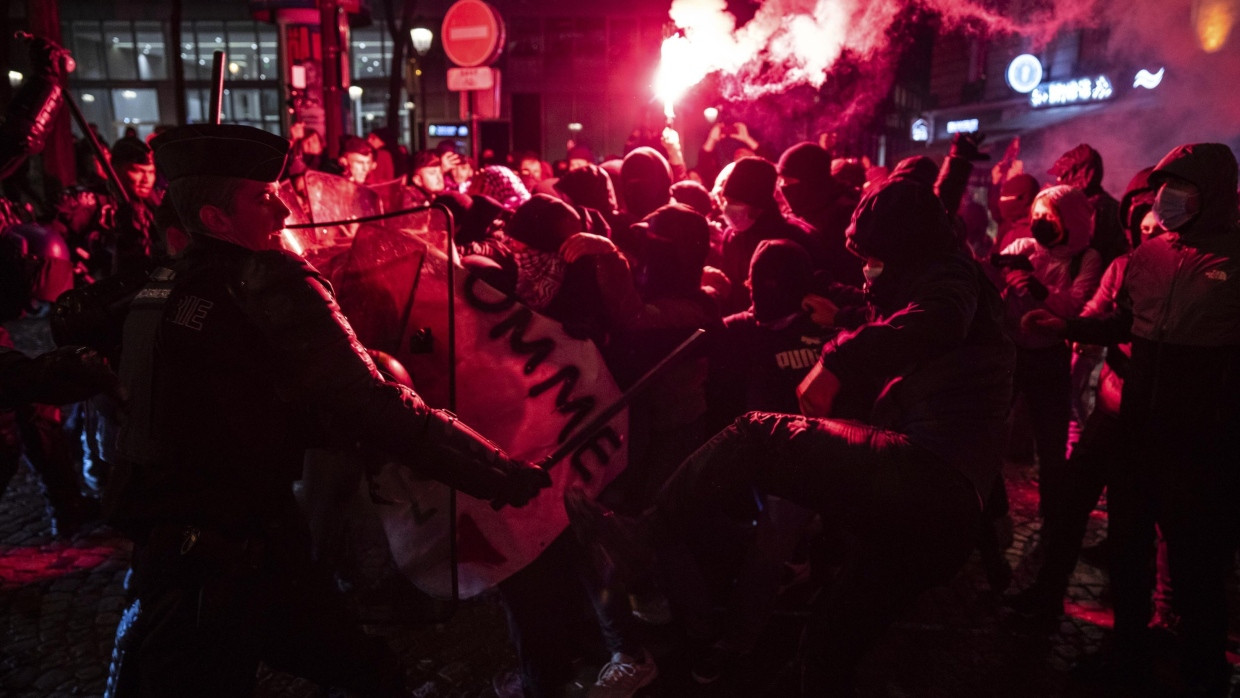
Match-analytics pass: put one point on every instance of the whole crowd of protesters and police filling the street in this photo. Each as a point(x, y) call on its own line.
point(851, 412)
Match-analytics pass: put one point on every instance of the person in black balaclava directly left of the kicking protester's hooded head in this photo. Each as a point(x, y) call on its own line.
point(824, 205)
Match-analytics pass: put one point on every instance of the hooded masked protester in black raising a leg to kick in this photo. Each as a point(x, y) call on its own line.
point(932, 447)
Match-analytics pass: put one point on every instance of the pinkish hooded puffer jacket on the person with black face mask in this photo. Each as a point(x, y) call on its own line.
point(1069, 281)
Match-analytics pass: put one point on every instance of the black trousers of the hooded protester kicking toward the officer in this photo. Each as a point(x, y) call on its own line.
point(911, 519)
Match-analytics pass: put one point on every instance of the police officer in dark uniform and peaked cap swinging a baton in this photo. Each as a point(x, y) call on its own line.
point(236, 358)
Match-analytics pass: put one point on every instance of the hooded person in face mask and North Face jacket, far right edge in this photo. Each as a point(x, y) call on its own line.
point(1179, 417)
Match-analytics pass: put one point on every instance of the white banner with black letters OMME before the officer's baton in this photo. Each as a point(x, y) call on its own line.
point(520, 380)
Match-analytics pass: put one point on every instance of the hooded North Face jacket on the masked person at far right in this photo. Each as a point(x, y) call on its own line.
point(1181, 307)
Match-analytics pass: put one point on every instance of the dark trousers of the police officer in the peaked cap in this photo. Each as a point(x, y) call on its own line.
point(204, 617)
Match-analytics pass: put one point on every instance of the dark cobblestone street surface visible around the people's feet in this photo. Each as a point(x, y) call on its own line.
point(60, 603)
